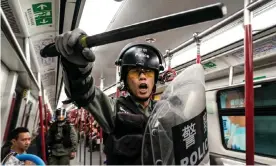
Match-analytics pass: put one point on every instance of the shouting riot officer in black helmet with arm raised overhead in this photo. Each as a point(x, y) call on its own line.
point(123, 120)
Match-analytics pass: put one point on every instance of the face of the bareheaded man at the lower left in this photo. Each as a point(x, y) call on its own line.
point(23, 141)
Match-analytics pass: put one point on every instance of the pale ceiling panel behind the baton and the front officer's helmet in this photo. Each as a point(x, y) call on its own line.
point(133, 11)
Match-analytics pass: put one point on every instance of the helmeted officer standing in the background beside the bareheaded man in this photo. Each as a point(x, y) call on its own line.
point(62, 140)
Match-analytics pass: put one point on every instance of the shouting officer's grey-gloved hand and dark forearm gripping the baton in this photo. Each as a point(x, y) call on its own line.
point(77, 67)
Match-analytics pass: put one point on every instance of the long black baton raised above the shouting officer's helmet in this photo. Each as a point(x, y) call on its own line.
point(164, 23)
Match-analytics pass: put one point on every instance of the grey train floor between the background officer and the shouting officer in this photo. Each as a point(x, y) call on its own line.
point(84, 159)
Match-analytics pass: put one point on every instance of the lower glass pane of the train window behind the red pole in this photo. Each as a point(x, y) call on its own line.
point(265, 134)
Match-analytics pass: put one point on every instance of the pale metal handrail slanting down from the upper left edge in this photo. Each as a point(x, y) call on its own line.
point(6, 28)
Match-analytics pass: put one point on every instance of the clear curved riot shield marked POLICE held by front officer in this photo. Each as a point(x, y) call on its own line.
point(176, 132)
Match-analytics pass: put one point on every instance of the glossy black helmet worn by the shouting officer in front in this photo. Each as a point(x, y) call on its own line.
point(140, 55)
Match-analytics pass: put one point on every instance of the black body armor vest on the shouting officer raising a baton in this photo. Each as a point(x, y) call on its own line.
point(123, 146)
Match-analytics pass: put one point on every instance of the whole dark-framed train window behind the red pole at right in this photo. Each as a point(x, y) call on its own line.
point(232, 118)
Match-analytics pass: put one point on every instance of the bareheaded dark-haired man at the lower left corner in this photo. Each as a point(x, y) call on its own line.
point(19, 142)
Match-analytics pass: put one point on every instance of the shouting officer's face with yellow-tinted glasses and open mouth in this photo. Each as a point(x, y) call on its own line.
point(141, 81)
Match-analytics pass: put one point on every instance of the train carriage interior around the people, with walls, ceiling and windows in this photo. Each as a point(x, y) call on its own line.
point(28, 26)
